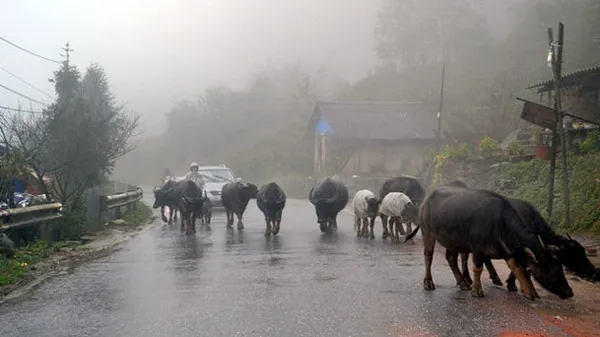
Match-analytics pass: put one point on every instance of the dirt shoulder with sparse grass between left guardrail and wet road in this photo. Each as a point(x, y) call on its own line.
point(69, 256)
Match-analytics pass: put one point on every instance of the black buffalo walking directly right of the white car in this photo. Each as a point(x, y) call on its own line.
point(235, 197)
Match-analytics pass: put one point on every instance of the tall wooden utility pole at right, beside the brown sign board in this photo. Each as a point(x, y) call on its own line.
point(556, 60)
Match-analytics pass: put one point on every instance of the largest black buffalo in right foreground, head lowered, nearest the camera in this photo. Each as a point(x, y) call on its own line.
point(486, 224)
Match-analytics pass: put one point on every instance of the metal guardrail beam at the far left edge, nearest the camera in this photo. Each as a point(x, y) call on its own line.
point(20, 217)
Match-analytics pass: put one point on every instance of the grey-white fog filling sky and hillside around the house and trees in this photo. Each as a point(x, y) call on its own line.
point(236, 81)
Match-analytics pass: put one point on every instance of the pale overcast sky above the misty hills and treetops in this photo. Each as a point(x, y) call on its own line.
point(157, 52)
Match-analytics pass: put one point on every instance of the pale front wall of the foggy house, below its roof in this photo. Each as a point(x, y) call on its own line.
point(403, 157)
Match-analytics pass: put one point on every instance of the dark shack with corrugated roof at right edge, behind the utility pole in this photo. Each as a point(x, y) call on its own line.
point(580, 94)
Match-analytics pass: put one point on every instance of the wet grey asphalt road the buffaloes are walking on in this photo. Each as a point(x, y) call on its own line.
point(300, 283)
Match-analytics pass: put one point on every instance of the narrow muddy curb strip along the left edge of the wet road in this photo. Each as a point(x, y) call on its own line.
point(62, 262)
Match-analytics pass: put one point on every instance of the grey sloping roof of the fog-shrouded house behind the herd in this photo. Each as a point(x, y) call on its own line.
point(373, 120)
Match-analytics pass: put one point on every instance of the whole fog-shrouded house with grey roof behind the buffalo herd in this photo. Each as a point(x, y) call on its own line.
point(372, 137)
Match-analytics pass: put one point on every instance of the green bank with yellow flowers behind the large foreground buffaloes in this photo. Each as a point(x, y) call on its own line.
point(528, 180)
